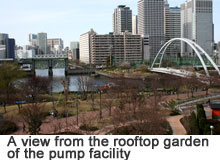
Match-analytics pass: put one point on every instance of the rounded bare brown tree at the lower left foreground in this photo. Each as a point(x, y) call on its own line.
point(33, 116)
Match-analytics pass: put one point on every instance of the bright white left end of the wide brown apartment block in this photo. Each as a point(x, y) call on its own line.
point(84, 45)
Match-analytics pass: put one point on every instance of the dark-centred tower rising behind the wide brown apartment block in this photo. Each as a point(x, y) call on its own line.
point(122, 19)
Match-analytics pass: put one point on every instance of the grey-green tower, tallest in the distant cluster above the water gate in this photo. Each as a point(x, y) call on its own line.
point(42, 43)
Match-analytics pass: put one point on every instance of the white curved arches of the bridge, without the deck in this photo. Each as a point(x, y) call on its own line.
point(198, 50)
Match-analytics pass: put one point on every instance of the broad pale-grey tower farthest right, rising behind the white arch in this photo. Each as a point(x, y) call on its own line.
point(197, 25)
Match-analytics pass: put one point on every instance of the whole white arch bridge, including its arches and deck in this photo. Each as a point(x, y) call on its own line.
point(182, 73)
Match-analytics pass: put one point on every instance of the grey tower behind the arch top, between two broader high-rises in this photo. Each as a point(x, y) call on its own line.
point(172, 28)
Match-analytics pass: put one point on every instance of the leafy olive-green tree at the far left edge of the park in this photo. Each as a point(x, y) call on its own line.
point(9, 73)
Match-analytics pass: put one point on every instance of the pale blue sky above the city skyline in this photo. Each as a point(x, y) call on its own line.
point(68, 19)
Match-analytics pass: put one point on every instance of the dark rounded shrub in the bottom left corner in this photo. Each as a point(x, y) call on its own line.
point(7, 127)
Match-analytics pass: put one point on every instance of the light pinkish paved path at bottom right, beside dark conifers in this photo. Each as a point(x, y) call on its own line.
point(176, 125)
